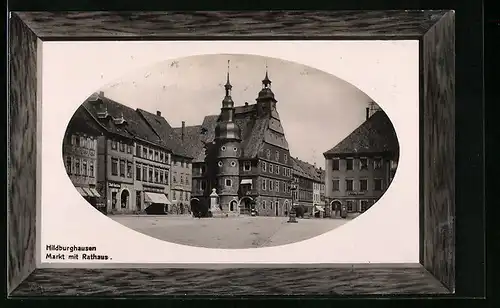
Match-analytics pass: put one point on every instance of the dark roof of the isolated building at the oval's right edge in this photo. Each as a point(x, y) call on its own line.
point(375, 135)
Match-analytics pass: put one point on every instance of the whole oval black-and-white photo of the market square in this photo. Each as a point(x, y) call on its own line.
point(230, 151)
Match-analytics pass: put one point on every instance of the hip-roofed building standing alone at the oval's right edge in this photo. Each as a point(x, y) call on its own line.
point(360, 168)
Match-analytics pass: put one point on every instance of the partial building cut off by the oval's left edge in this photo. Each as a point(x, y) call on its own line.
point(80, 156)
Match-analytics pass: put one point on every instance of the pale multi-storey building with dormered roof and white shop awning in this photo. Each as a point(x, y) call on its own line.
point(134, 161)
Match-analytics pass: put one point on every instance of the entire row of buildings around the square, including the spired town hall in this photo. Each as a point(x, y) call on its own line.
point(125, 160)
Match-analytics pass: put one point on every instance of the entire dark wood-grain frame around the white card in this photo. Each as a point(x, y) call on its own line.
point(435, 31)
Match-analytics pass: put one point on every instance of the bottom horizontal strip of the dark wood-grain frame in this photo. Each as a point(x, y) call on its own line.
point(230, 282)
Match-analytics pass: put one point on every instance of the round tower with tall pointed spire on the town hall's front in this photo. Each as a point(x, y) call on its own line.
point(228, 142)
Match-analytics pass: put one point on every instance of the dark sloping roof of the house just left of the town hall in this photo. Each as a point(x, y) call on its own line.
point(171, 140)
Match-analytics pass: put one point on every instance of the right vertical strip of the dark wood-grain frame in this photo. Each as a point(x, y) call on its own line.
point(439, 150)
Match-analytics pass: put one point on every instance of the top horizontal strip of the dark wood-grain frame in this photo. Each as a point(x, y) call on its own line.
point(71, 25)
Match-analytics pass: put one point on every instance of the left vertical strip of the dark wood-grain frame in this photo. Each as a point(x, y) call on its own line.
point(22, 159)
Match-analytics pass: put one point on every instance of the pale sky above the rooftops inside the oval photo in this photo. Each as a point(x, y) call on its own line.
point(317, 110)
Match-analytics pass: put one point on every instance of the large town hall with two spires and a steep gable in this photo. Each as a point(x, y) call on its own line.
point(242, 153)
